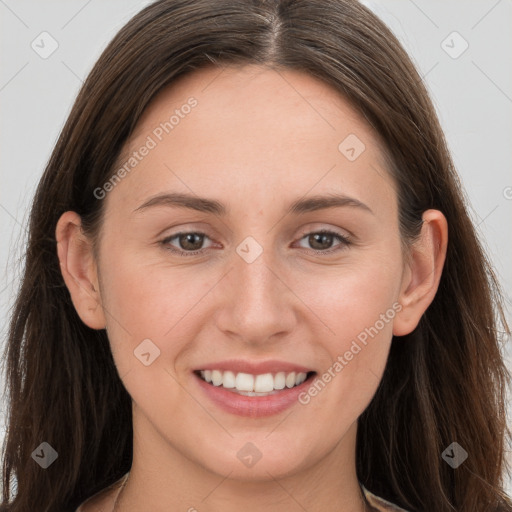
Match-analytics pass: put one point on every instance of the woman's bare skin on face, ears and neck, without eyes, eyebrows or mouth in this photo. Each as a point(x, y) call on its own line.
point(257, 140)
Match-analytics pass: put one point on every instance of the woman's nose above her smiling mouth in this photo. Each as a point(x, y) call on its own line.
point(257, 305)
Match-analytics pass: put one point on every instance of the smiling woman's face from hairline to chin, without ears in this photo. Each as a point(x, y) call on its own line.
point(250, 164)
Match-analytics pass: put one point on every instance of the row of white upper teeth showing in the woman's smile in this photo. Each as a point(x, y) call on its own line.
point(253, 385)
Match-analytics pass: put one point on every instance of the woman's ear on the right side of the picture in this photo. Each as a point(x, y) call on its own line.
point(423, 272)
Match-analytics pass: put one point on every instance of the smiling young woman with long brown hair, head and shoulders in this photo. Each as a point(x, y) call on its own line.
point(251, 281)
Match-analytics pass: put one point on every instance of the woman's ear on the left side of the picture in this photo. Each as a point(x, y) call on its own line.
point(78, 267)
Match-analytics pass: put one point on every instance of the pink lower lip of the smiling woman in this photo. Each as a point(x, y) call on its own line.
point(253, 406)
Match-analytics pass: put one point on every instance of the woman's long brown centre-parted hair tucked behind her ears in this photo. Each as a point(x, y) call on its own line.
point(444, 383)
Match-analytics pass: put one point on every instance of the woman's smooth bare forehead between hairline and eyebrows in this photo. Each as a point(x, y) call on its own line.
point(253, 130)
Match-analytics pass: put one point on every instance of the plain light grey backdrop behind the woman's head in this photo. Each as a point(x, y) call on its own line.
point(461, 48)
